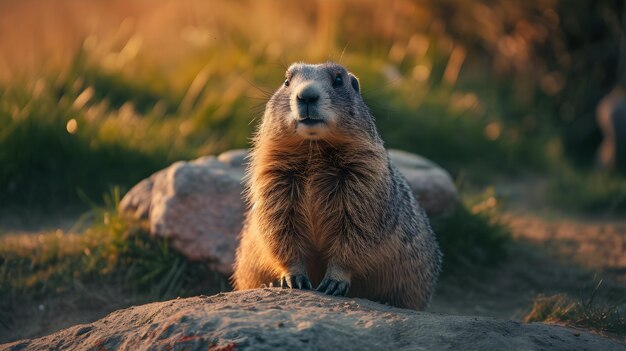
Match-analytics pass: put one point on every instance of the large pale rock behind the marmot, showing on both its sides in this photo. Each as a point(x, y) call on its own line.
point(198, 206)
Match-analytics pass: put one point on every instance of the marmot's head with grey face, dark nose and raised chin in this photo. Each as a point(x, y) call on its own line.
point(319, 102)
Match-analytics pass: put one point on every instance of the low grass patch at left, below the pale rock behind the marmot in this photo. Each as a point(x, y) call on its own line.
point(110, 250)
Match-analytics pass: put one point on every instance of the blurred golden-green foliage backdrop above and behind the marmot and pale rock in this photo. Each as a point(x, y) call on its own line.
point(481, 87)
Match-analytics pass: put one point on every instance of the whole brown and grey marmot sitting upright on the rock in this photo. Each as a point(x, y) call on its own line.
point(326, 207)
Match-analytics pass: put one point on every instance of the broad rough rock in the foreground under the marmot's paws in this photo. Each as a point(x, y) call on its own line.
point(277, 319)
